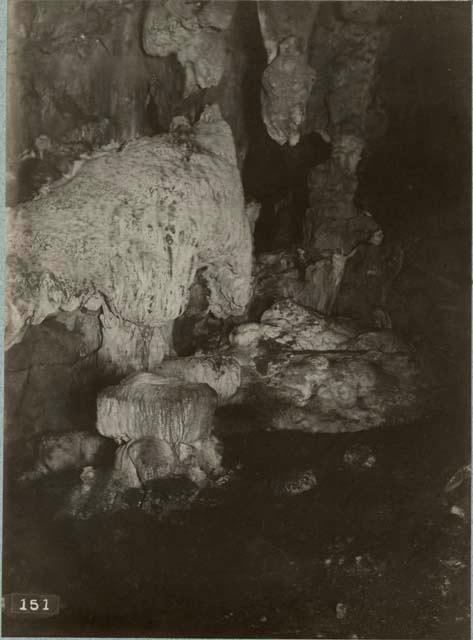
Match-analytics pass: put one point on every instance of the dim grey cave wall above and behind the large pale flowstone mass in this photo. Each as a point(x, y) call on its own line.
point(78, 78)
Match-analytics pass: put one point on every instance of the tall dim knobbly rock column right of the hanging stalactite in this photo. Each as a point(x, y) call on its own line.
point(345, 53)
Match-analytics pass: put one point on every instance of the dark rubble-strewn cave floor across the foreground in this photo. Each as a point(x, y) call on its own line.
point(373, 550)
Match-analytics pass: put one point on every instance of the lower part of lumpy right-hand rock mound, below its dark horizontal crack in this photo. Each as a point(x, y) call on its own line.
point(340, 392)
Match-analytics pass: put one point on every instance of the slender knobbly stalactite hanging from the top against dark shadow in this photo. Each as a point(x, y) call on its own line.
point(288, 79)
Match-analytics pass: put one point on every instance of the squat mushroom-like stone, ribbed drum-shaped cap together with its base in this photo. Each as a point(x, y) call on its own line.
point(165, 427)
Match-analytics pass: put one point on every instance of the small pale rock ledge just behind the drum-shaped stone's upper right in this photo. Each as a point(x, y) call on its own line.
point(221, 373)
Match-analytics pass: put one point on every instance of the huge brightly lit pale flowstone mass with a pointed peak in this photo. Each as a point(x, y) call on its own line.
point(128, 232)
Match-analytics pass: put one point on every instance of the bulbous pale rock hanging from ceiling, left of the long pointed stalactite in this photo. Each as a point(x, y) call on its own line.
point(195, 32)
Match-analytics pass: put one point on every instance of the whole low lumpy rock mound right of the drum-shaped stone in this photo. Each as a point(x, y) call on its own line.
point(314, 374)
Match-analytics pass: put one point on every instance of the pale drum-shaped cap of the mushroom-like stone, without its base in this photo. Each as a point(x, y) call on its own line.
point(145, 404)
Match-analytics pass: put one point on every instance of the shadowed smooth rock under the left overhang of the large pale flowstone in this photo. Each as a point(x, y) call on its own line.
point(50, 376)
